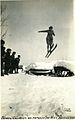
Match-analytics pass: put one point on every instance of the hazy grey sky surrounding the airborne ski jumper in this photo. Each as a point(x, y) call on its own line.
point(27, 17)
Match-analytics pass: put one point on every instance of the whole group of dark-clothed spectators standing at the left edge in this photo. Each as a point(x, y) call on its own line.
point(9, 63)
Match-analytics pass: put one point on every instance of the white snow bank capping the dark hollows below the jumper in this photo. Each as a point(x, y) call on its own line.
point(44, 65)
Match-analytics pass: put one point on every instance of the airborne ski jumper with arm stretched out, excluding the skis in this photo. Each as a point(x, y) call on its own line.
point(49, 38)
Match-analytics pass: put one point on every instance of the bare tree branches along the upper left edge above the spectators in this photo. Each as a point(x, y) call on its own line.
point(4, 19)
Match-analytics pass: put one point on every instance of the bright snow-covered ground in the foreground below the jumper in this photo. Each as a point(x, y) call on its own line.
point(30, 95)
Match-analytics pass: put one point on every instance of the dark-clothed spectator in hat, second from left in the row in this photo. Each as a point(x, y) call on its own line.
point(7, 61)
